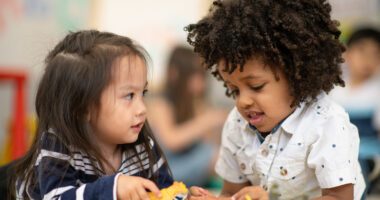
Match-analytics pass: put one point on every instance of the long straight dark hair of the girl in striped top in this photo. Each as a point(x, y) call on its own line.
point(77, 70)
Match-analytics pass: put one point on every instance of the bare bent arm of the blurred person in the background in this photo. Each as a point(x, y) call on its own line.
point(177, 136)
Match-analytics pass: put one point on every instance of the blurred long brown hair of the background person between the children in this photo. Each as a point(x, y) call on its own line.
point(182, 65)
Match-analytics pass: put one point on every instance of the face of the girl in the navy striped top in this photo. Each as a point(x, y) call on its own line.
point(122, 111)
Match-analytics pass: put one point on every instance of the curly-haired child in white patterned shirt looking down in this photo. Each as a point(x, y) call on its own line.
point(285, 137)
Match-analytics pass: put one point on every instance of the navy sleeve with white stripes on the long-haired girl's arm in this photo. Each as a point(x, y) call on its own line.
point(57, 181)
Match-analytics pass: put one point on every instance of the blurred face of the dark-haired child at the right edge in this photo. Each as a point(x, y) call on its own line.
point(363, 58)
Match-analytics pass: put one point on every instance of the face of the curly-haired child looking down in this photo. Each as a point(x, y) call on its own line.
point(261, 99)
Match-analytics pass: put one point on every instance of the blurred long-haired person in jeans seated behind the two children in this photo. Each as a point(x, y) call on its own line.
point(187, 127)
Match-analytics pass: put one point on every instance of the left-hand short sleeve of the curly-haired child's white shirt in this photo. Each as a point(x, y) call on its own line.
point(227, 166)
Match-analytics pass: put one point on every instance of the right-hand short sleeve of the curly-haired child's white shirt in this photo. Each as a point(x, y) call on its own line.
point(334, 154)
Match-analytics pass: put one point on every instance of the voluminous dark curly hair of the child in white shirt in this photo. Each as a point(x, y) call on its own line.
point(297, 37)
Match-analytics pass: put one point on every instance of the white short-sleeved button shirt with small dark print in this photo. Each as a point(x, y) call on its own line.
point(315, 147)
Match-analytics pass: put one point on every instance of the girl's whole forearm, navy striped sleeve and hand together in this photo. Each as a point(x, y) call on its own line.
point(59, 179)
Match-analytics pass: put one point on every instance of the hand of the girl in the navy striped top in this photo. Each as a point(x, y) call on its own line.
point(134, 188)
